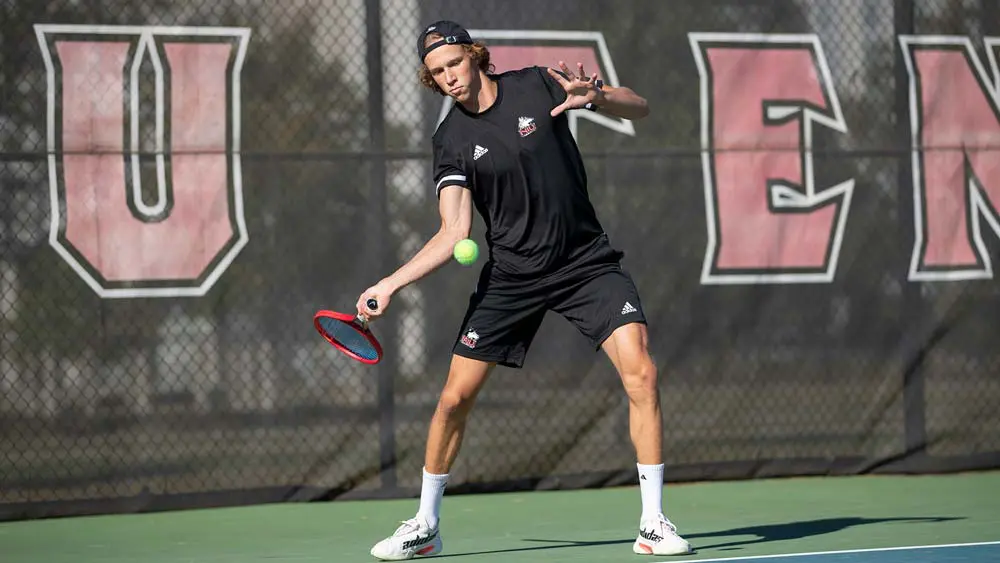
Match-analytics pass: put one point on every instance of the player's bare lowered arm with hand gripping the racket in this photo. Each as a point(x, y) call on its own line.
point(455, 208)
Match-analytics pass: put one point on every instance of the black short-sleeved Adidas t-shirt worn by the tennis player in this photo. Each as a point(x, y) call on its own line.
point(526, 175)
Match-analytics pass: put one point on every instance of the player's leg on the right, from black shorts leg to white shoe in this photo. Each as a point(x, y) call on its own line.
point(608, 311)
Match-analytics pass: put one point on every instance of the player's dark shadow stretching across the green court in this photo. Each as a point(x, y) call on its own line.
point(764, 534)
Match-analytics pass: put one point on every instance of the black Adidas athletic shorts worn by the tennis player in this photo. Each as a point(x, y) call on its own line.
point(504, 315)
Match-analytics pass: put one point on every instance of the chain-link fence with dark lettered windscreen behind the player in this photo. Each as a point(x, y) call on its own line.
point(182, 184)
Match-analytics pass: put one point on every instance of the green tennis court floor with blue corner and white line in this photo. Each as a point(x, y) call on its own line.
point(859, 519)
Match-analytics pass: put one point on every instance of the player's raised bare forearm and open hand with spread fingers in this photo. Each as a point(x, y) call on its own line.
point(583, 91)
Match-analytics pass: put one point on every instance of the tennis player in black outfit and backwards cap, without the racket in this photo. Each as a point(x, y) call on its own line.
point(505, 148)
